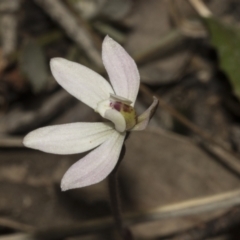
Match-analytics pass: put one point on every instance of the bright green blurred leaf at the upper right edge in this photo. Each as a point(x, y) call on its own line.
point(226, 40)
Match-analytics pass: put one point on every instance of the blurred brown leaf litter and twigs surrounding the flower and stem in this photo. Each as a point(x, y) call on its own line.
point(180, 177)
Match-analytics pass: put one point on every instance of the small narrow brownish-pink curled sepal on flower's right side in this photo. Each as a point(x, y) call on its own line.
point(144, 118)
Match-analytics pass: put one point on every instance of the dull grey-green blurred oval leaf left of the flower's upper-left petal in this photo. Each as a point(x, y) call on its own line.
point(34, 66)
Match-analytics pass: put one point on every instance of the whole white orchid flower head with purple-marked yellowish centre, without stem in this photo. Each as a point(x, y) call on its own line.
point(113, 103)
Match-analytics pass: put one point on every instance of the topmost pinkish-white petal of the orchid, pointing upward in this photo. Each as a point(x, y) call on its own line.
point(121, 68)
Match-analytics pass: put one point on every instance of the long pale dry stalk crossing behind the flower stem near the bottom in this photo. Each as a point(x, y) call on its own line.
point(186, 208)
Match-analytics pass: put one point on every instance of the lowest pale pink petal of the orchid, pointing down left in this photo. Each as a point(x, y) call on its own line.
point(96, 165)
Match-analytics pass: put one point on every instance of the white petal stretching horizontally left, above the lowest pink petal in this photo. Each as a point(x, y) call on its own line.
point(68, 138)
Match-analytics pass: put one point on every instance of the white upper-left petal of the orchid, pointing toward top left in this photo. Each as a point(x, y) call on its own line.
point(80, 81)
